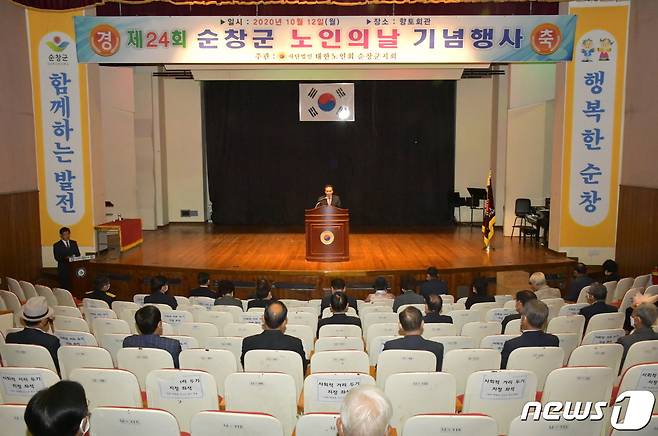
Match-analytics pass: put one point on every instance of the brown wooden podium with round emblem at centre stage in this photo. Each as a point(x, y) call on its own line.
point(327, 234)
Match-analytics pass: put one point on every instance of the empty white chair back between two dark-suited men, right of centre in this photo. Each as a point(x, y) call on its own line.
point(462, 363)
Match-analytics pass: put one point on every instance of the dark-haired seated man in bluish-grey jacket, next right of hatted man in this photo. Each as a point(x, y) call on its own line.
point(149, 324)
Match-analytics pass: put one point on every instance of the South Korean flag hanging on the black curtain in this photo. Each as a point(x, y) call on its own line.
point(326, 102)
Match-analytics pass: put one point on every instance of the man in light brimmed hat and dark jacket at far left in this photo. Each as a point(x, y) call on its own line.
point(37, 317)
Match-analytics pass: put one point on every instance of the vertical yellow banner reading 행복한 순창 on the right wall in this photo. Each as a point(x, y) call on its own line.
point(594, 113)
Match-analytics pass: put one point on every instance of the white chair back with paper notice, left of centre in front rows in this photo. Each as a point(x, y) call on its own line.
point(182, 392)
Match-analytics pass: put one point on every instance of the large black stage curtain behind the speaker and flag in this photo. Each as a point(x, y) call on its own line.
point(393, 166)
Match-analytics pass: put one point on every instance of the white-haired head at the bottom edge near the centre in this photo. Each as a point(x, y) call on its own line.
point(365, 412)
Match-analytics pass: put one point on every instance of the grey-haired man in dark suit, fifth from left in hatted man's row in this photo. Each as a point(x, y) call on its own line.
point(533, 321)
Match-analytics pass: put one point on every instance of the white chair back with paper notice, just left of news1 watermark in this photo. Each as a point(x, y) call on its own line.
point(500, 394)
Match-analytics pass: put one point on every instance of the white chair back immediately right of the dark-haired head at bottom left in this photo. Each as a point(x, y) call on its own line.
point(108, 387)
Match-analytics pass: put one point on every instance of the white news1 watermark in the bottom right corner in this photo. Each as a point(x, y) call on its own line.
point(637, 411)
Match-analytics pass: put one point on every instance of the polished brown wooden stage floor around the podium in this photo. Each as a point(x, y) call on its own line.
point(180, 251)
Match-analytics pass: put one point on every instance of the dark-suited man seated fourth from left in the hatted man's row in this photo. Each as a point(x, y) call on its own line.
point(411, 327)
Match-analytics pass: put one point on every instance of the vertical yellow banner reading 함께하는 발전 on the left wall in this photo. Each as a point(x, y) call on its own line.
point(61, 118)
